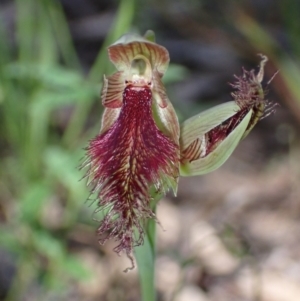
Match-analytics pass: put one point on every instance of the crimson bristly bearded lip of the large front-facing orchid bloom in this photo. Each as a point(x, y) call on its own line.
point(124, 162)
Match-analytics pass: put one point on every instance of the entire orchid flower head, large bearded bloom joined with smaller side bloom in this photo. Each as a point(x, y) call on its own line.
point(141, 150)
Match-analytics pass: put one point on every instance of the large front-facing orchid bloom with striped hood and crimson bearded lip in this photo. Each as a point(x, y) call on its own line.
point(137, 149)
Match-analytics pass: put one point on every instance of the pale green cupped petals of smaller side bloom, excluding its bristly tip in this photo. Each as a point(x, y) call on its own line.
point(207, 145)
